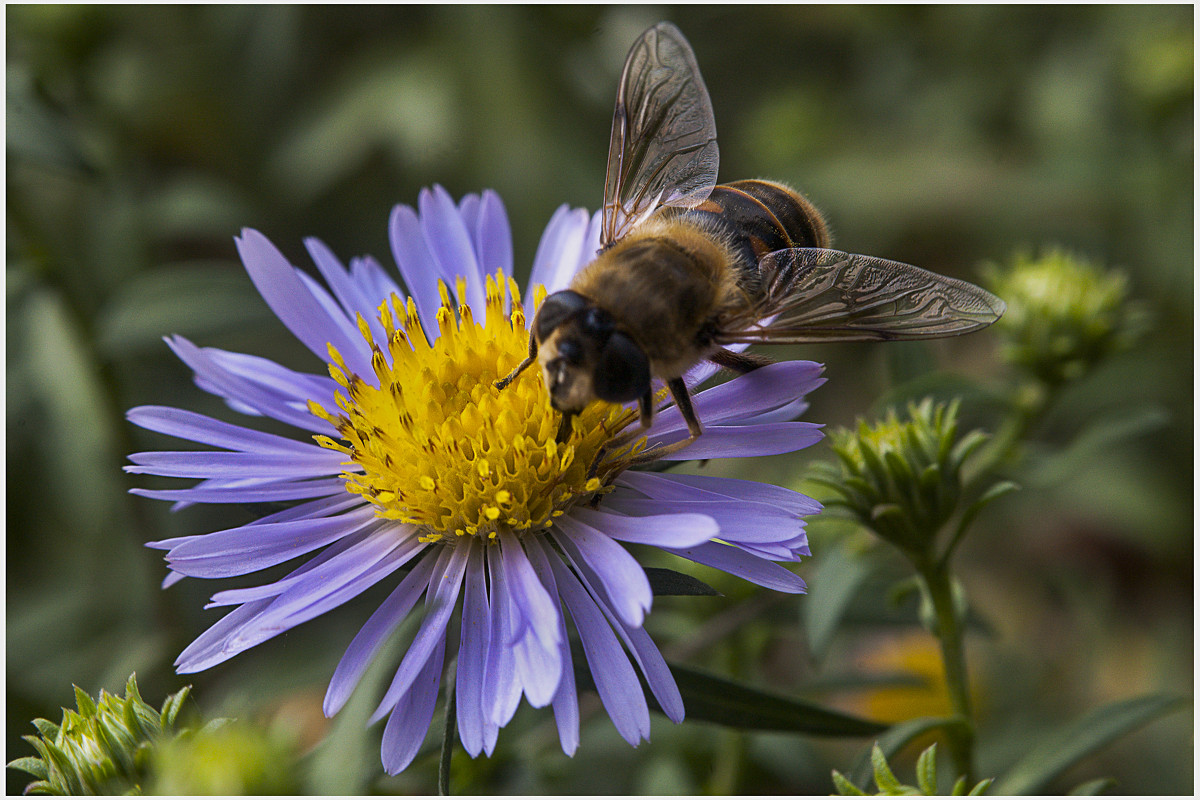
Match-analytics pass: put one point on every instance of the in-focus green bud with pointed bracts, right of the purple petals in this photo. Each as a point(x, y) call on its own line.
point(903, 479)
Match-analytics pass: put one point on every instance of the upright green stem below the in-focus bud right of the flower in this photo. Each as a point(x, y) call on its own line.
point(950, 635)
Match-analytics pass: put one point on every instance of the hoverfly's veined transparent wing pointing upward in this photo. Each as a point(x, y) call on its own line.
point(663, 149)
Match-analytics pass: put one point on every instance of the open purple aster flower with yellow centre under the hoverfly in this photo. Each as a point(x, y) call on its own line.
point(412, 468)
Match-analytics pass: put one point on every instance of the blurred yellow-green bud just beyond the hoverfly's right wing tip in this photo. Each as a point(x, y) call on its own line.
point(1065, 315)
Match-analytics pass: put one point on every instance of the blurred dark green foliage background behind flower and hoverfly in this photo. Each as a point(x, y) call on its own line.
point(141, 141)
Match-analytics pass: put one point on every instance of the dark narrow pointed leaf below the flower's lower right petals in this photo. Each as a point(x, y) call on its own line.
point(723, 702)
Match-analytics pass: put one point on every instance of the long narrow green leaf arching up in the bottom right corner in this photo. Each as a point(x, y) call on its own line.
point(1060, 750)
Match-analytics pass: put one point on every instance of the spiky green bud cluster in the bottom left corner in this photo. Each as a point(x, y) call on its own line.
point(104, 748)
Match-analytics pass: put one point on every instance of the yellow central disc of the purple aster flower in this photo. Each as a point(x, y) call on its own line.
point(430, 441)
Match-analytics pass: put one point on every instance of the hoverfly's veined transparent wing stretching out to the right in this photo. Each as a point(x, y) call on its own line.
point(825, 296)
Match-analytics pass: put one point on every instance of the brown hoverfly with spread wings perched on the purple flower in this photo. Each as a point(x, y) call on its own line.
point(688, 268)
